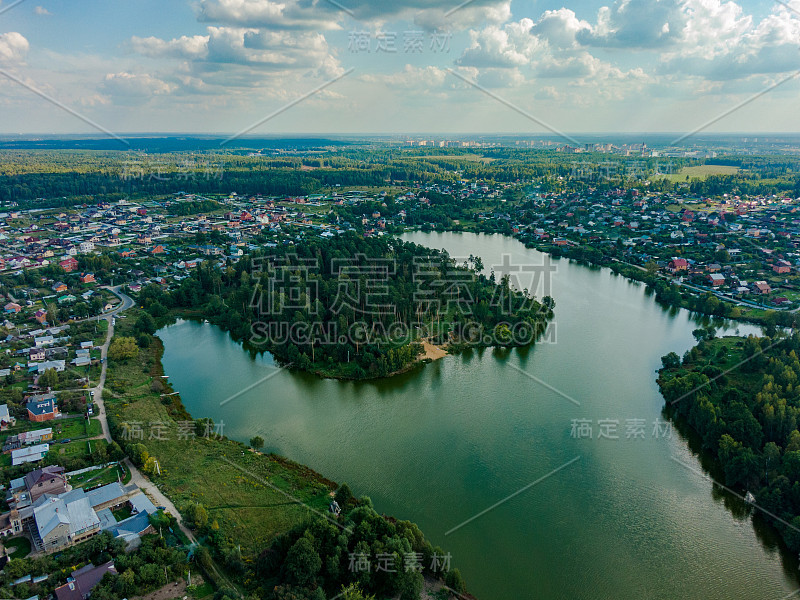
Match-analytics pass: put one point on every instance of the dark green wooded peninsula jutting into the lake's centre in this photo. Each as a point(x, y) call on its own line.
point(355, 307)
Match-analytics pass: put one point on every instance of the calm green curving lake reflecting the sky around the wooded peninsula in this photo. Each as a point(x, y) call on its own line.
point(547, 472)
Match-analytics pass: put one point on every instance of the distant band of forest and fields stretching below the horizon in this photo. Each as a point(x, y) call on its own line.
point(53, 177)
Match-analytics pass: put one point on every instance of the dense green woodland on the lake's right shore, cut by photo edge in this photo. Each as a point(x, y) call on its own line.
point(746, 415)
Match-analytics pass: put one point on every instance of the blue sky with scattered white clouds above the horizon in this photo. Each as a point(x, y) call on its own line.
point(398, 66)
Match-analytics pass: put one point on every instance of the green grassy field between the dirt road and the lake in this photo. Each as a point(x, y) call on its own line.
point(252, 497)
